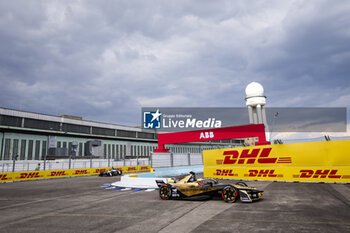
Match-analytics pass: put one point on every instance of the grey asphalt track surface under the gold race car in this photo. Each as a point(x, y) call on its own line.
point(81, 205)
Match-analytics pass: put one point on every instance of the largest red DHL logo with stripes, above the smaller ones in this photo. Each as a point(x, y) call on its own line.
point(247, 156)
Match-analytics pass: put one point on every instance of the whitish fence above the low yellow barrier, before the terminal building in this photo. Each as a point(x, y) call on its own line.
point(32, 165)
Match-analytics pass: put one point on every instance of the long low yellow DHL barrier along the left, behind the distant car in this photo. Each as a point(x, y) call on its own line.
point(35, 175)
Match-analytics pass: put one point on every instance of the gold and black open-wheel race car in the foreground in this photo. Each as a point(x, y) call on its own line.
point(190, 187)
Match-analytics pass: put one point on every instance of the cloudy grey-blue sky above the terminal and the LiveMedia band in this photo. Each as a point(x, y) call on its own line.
point(104, 60)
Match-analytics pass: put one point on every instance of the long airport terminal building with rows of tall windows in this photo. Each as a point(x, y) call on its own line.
point(32, 136)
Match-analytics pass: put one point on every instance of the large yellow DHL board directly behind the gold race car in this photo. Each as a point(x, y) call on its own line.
point(327, 161)
